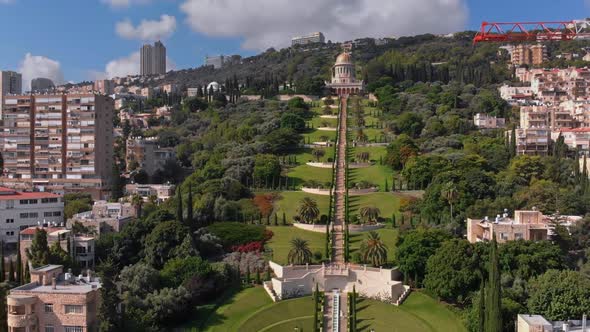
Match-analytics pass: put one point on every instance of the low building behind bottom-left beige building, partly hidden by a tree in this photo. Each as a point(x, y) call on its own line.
point(81, 245)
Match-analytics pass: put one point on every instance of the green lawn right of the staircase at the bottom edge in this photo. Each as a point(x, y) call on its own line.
point(419, 313)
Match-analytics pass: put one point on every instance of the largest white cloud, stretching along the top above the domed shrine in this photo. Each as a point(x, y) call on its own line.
point(265, 23)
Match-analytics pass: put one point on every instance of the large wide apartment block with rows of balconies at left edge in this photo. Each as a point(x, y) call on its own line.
point(57, 142)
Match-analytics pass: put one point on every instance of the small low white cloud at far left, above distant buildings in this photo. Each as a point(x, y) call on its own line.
point(33, 66)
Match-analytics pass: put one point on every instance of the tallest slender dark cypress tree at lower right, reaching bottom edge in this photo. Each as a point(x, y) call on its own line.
point(493, 304)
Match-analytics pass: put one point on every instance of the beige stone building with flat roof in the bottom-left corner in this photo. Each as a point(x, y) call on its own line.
point(54, 301)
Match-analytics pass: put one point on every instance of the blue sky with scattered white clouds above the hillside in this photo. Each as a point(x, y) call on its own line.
point(79, 38)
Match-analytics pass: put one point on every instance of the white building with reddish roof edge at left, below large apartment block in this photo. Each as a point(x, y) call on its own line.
point(19, 210)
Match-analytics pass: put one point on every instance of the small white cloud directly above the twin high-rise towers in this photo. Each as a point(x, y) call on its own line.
point(147, 29)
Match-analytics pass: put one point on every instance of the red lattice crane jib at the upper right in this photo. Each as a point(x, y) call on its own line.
point(533, 31)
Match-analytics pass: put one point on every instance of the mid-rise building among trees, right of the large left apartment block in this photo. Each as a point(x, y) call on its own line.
point(147, 154)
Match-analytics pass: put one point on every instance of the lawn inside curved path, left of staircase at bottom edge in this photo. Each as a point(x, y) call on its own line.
point(282, 316)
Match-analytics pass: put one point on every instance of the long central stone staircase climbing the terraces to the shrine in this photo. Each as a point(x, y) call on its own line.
point(335, 310)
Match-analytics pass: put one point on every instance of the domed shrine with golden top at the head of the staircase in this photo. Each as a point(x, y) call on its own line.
point(344, 80)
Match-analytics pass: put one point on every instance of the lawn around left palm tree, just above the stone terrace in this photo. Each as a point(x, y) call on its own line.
point(283, 235)
